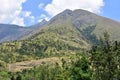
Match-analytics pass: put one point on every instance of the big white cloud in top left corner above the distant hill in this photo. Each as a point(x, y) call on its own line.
point(11, 12)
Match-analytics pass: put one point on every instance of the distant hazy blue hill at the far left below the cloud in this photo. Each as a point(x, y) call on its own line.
point(12, 32)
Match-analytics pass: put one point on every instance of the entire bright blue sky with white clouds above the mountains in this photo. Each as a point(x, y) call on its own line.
point(29, 12)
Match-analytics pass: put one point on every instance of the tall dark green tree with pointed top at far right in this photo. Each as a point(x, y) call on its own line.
point(104, 59)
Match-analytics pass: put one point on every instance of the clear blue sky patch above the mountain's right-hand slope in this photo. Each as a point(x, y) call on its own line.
point(111, 9)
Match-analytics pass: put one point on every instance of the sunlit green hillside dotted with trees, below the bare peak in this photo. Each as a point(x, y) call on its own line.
point(56, 40)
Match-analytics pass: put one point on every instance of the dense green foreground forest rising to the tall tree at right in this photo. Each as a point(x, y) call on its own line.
point(101, 62)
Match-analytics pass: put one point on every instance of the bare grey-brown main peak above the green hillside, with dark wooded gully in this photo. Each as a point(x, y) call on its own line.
point(88, 23)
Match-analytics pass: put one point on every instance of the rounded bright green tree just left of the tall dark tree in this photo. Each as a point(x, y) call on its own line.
point(77, 69)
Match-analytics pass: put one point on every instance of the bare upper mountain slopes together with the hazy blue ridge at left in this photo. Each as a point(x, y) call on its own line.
point(88, 24)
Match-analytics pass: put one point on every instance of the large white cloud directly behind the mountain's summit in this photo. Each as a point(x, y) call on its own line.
point(56, 6)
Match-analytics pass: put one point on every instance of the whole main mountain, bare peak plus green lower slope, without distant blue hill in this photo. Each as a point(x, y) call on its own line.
point(67, 33)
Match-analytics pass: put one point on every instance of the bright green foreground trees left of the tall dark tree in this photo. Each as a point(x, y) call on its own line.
point(76, 68)
